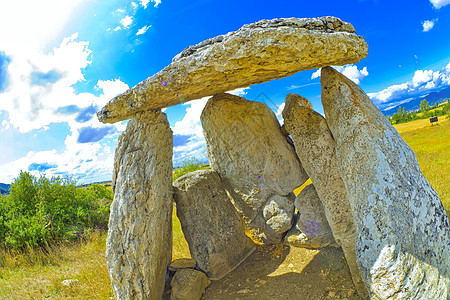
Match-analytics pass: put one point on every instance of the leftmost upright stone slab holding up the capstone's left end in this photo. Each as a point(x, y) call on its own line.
point(139, 243)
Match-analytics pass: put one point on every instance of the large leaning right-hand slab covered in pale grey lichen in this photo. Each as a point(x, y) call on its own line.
point(402, 230)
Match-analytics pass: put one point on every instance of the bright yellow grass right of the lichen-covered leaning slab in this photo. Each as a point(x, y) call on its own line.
point(432, 147)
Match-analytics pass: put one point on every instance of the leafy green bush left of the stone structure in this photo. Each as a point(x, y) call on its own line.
point(42, 211)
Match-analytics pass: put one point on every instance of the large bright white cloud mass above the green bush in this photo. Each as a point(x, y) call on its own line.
point(31, 105)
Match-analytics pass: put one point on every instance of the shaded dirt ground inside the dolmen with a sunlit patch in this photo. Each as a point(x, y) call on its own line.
point(283, 272)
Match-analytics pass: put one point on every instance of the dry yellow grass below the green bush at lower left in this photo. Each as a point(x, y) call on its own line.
point(39, 275)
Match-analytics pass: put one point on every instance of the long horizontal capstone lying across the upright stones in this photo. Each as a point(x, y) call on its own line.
point(256, 53)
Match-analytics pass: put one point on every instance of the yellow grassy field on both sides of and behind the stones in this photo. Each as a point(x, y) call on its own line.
point(39, 275)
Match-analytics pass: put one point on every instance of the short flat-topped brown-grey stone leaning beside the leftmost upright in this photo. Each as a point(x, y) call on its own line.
point(212, 227)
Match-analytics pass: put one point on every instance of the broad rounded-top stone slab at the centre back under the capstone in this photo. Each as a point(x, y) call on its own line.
point(246, 147)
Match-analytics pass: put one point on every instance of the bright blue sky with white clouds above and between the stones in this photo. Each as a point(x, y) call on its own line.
point(60, 61)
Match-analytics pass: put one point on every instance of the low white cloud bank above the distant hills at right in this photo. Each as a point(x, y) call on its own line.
point(423, 81)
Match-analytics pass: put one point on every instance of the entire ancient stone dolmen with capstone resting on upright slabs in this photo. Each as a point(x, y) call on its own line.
point(368, 195)
